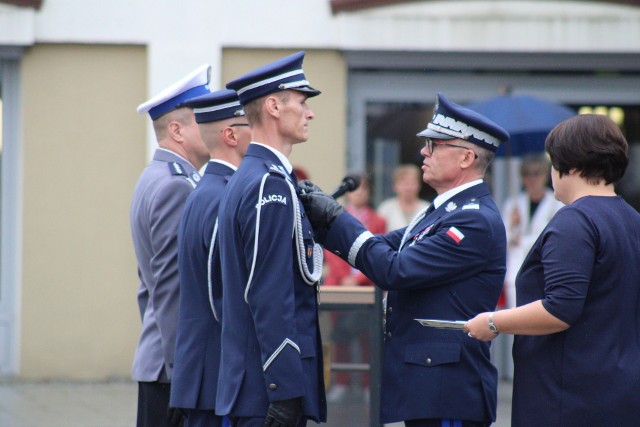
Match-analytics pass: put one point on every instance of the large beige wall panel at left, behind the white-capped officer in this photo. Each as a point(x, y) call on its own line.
point(84, 147)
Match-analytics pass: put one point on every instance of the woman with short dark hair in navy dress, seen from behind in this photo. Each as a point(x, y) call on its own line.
point(577, 322)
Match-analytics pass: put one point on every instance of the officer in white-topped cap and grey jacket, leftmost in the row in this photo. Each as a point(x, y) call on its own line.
point(158, 199)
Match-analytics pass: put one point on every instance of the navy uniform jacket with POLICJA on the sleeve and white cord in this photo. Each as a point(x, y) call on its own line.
point(271, 347)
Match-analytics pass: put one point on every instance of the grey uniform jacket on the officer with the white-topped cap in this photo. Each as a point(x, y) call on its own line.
point(157, 204)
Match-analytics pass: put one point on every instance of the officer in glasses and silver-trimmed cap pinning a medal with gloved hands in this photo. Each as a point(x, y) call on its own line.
point(449, 264)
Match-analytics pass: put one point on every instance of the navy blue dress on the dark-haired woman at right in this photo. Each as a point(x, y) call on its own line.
point(585, 267)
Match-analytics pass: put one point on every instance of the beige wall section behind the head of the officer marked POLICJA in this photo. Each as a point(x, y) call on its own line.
point(323, 156)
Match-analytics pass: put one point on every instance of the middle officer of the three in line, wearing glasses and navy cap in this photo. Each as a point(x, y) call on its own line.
point(226, 134)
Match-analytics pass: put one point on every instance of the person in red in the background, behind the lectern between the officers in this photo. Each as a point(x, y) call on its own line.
point(351, 326)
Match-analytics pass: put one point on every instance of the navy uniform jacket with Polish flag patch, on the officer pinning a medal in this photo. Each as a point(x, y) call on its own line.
point(452, 267)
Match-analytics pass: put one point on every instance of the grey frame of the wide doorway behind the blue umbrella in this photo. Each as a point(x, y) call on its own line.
point(465, 77)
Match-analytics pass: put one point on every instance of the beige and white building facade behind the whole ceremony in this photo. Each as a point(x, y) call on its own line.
point(72, 73)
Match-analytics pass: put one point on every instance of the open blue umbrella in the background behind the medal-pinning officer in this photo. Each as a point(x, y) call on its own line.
point(527, 119)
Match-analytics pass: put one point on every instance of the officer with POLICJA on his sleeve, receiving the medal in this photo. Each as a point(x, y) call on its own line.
point(271, 366)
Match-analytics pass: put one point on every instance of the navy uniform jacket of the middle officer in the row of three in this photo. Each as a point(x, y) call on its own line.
point(197, 355)
